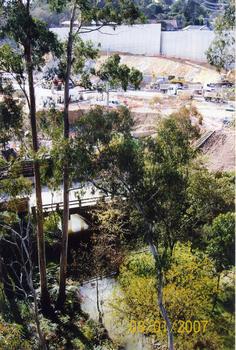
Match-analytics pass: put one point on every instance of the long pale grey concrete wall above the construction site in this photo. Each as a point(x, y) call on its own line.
point(148, 39)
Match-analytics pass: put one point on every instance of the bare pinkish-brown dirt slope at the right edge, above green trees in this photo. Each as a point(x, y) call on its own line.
point(220, 151)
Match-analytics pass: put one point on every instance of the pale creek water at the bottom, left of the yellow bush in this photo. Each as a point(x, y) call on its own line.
point(106, 287)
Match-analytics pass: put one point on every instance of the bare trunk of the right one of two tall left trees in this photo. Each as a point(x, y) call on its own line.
point(64, 242)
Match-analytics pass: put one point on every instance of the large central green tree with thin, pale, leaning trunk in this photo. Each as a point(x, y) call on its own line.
point(151, 174)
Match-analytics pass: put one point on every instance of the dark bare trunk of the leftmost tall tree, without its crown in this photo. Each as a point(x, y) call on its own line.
point(45, 298)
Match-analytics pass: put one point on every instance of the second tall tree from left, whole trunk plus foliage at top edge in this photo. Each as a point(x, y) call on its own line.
point(86, 13)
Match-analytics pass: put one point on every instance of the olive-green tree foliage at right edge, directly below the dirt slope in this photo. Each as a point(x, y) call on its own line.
point(210, 195)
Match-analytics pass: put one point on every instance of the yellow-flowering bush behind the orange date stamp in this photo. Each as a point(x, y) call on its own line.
point(189, 288)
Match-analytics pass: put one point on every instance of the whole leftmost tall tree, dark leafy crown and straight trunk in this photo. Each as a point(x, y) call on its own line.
point(31, 41)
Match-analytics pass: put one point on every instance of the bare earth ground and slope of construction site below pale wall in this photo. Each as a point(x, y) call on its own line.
point(149, 107)
